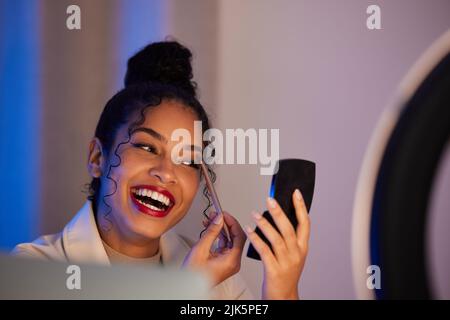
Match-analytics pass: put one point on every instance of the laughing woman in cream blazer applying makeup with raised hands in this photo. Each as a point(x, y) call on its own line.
point(138, 194)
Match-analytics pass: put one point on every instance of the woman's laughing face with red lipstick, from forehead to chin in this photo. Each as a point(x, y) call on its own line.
point(153, 193)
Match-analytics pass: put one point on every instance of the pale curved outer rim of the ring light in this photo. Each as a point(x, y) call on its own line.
point(364, 204)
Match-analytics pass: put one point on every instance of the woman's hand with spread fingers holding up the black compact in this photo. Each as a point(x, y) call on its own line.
point(283, 267)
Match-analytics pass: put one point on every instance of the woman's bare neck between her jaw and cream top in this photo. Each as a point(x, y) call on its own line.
point(130, 245)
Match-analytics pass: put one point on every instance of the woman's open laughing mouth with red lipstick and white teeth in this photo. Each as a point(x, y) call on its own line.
point(152, 200)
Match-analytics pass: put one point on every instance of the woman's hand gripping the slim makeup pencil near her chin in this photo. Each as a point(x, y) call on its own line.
point(223, 262)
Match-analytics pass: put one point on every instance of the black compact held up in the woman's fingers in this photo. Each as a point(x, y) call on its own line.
point(292, 174)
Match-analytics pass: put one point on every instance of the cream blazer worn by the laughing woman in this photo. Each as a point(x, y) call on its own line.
point(80, 242)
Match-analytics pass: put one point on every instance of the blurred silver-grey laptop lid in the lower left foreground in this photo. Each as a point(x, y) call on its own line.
point(25, 278)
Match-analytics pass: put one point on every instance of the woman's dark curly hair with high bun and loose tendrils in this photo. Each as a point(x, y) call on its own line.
point(159, 72)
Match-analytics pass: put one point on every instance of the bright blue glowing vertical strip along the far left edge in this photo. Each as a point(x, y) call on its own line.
point(19, 121)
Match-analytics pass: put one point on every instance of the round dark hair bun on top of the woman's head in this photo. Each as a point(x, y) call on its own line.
point(166, 62)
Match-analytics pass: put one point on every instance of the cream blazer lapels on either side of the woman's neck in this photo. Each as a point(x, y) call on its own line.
point(82, 242)
